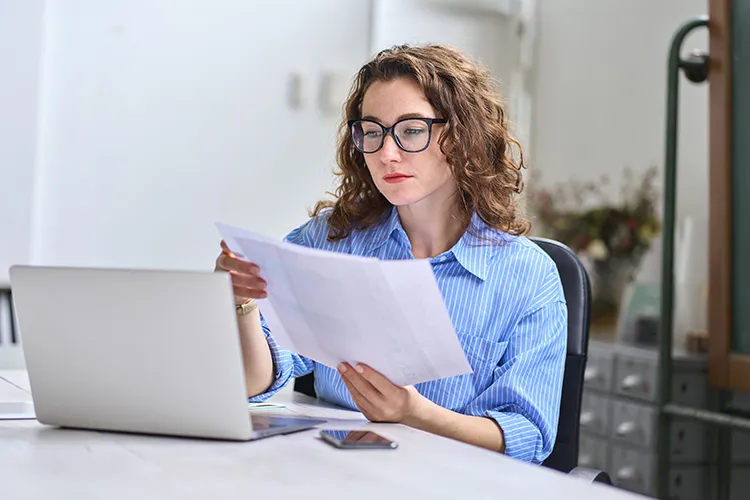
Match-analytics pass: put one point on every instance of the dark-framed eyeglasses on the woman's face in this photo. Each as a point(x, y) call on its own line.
point(411, 134)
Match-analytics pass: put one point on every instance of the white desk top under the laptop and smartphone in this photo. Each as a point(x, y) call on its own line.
point(40, 462)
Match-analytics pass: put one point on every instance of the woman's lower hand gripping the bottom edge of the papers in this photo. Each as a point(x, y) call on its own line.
point(378, 399)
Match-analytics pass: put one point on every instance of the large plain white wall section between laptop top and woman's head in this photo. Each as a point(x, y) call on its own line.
point(160, 118)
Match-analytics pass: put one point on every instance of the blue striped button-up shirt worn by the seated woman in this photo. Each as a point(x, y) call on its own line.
point(506, 302)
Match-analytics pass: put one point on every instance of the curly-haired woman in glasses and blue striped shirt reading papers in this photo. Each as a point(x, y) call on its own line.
point(427, 173)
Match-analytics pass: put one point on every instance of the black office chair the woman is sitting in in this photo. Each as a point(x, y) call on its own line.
point(577, 291)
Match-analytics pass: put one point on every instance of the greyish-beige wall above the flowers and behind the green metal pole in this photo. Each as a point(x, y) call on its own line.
point(599, 101)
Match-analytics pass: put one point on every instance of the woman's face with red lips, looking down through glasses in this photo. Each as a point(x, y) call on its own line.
point(406, 178)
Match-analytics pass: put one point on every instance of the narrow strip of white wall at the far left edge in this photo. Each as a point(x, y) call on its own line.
point(20, 52)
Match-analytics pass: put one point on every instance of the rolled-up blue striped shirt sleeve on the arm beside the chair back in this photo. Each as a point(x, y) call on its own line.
point(524, 398)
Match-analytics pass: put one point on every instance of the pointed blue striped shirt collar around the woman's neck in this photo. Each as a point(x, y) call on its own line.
point(473, 251)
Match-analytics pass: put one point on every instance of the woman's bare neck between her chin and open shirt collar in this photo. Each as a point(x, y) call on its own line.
point(432, 230)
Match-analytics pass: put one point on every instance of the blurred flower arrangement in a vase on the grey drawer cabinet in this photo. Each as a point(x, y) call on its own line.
point(611, 235)
